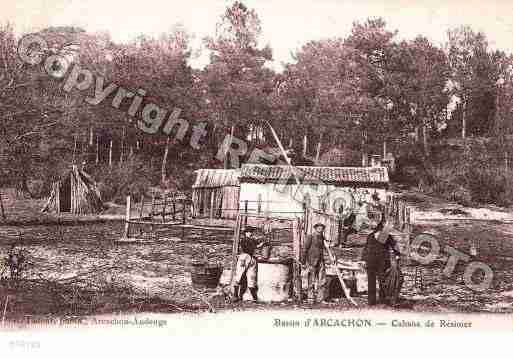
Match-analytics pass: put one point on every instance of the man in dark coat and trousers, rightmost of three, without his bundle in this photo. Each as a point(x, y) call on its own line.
point(381, 253)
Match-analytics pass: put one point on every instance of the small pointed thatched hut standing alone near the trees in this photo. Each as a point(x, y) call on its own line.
point(75, 193)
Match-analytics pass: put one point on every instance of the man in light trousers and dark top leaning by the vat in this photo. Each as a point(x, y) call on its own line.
point(246, 270)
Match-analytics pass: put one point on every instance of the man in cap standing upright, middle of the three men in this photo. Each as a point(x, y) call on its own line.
point(312, 256)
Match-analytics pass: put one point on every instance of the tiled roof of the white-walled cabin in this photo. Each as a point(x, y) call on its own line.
point(331, 175)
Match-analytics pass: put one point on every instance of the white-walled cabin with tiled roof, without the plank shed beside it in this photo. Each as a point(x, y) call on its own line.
point(273, 189)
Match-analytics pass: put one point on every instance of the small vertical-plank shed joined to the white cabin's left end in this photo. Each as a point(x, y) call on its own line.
point(215, 193)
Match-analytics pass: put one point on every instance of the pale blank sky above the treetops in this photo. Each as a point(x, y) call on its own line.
point(286, 24)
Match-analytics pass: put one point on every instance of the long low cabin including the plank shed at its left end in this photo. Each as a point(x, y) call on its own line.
point(272, 190)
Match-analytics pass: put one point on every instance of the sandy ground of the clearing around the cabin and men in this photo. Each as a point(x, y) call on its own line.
point(91, 272)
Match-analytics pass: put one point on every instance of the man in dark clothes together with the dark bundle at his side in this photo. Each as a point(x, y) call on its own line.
point(381, 254)
